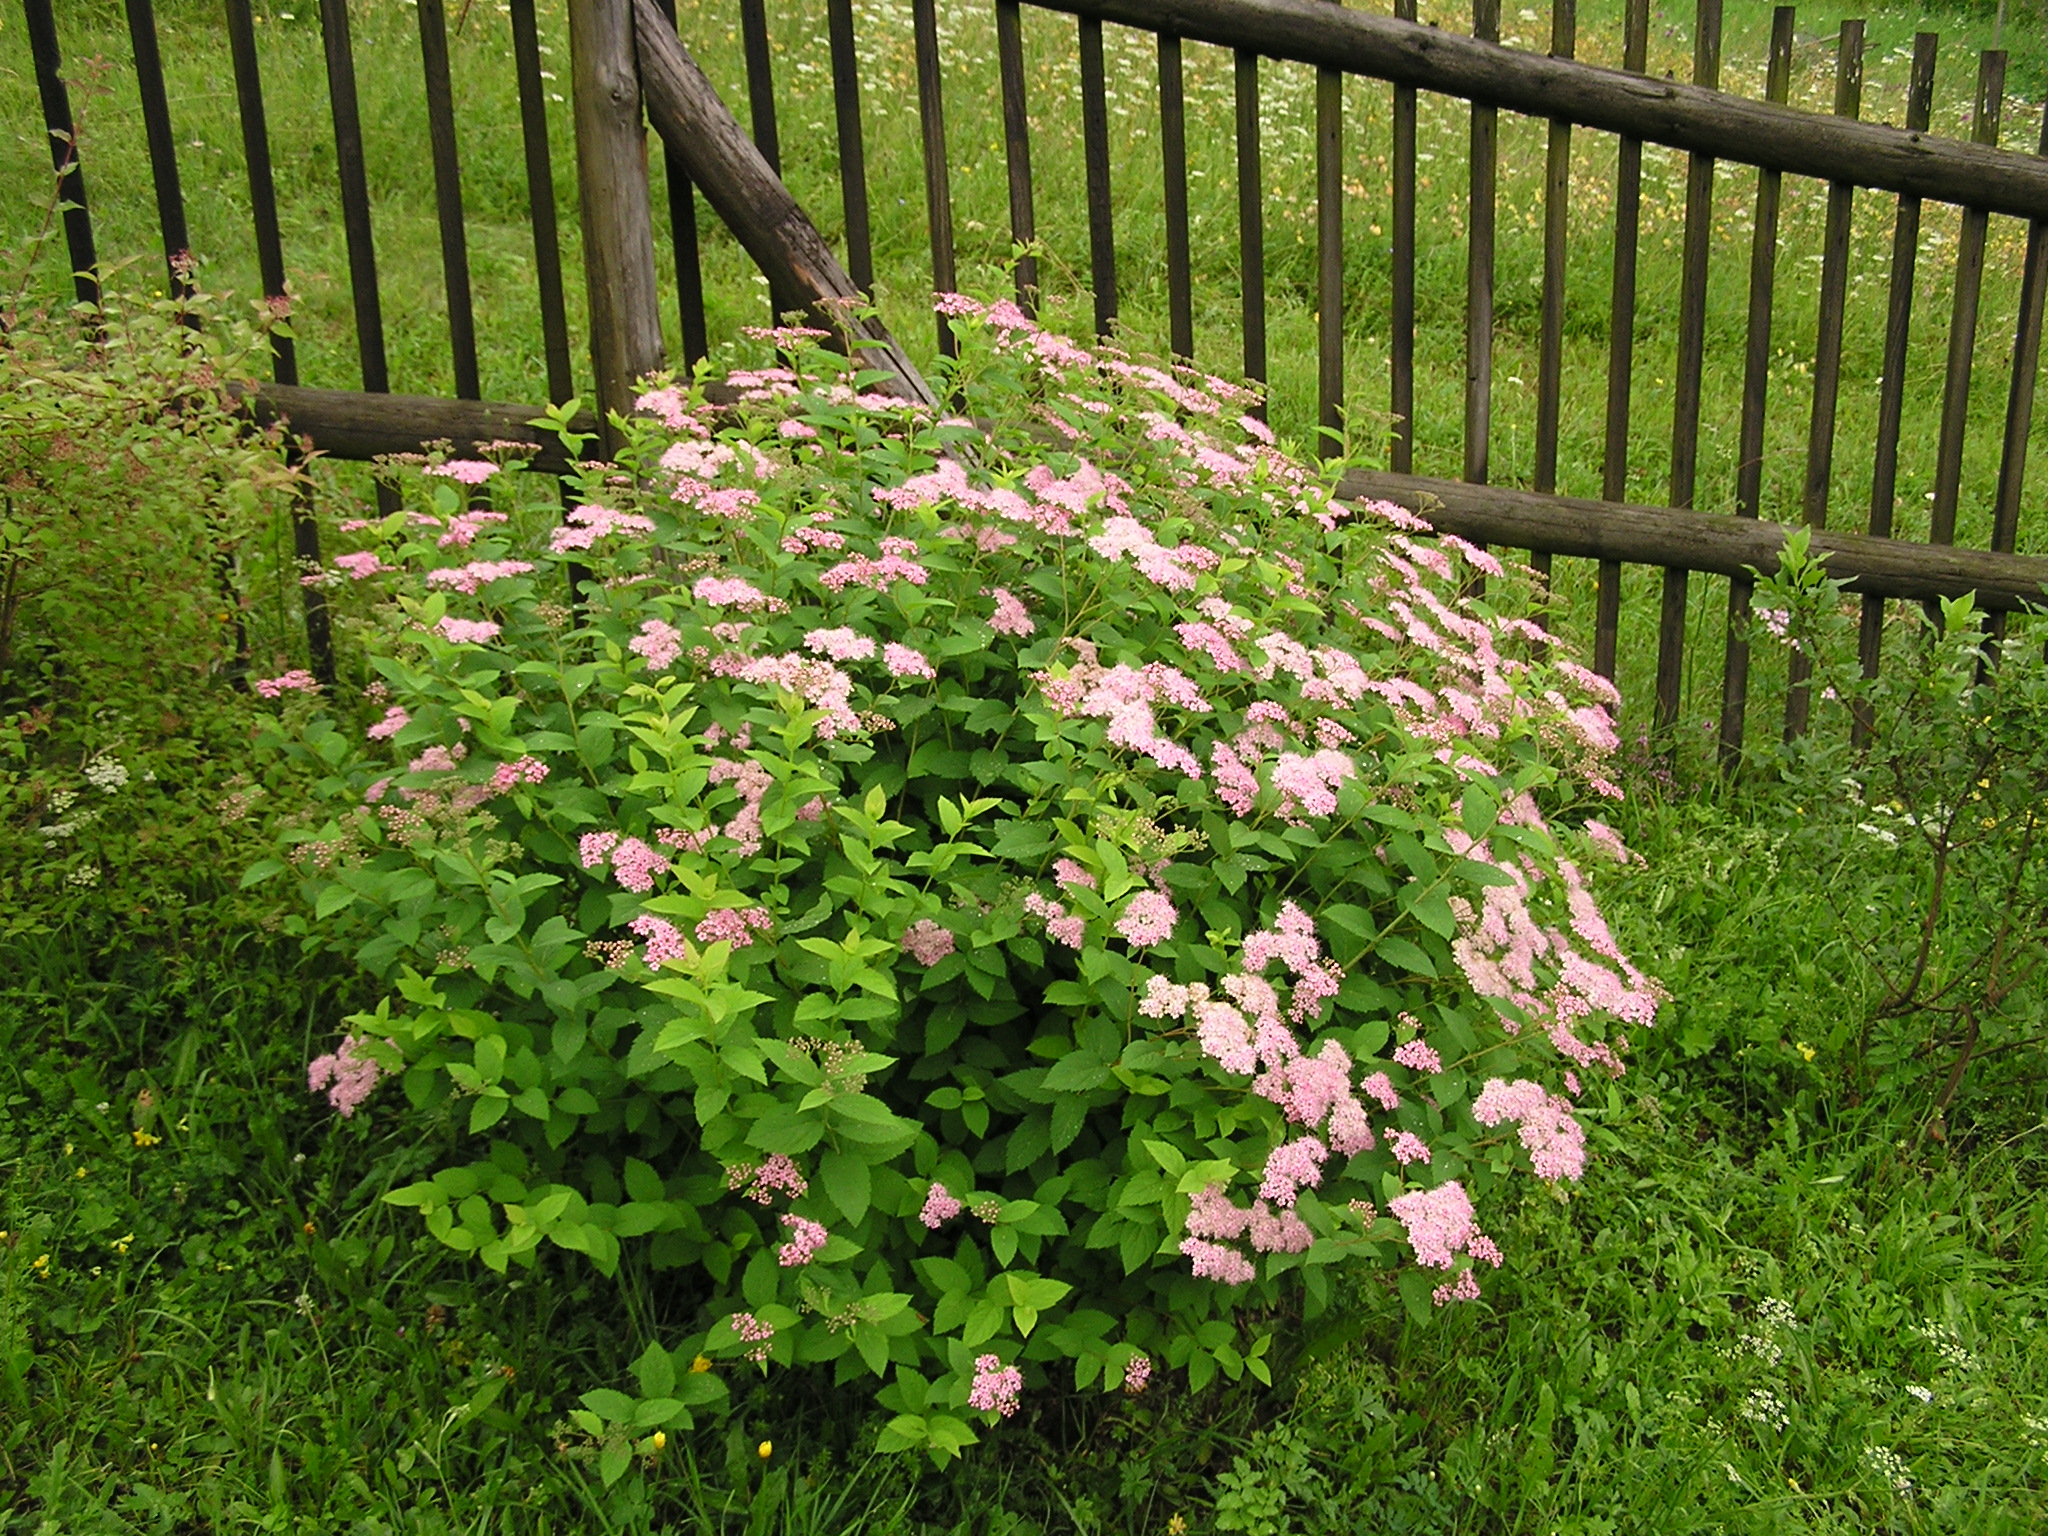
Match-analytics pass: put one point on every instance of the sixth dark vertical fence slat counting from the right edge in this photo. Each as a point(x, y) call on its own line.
point(1687, 380)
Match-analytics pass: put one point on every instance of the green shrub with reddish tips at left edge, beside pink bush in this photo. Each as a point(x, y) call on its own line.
point(142, 562)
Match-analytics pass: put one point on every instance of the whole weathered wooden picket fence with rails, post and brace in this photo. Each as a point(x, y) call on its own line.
point(630, 69)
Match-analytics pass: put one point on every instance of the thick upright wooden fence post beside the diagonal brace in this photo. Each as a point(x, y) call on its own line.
point(611, 173)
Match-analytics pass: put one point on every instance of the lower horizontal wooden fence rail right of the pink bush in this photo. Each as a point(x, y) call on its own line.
point(1703, 542)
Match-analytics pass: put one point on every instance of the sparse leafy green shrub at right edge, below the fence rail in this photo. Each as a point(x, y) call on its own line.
point(1934, 816)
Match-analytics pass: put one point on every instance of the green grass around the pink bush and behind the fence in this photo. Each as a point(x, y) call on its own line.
point(1775, 1304)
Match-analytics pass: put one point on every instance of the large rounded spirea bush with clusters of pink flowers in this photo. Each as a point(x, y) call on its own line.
point(988, 906)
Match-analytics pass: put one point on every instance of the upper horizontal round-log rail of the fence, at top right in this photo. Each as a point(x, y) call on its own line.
point(1660, 112)
